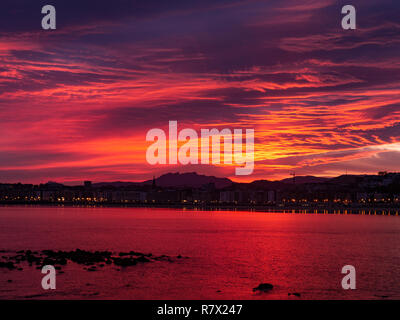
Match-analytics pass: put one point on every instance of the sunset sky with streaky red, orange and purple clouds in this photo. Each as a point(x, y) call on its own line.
point(76, 102)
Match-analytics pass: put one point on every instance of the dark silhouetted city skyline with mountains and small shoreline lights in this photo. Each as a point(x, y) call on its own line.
point(351, 192)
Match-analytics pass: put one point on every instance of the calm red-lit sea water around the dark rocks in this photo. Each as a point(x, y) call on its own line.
point(226, 253)
